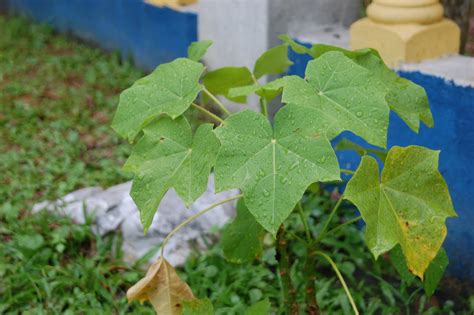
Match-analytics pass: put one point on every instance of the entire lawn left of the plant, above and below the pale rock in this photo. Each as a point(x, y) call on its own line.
point(57, 97)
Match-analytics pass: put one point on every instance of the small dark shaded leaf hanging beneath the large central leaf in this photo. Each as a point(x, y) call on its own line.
point(242, 239)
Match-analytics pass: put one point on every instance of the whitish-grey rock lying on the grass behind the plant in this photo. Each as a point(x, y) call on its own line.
point(113, 210)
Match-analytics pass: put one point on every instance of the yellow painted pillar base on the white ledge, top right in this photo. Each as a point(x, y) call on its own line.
point(406, 31)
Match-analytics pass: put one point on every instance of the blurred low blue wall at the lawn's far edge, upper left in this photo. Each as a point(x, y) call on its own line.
point(148, 34)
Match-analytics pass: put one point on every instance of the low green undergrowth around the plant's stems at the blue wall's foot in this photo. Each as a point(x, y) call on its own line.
point(375, 285)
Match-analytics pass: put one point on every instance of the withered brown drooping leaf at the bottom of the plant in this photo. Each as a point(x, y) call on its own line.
point(163, 288)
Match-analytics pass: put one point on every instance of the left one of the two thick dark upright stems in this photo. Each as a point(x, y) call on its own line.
point(289, 292)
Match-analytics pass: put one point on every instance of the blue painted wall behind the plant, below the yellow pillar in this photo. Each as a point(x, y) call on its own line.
point(453, 111)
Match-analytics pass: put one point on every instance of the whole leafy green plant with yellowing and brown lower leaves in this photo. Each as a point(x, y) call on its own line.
point(274, 162)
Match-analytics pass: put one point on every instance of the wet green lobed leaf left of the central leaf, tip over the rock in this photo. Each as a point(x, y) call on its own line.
point(167, 157)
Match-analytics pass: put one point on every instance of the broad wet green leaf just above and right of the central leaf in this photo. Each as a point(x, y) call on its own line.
point(342, 93)
